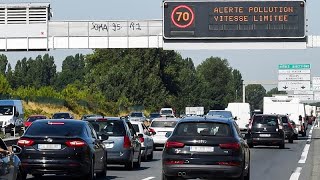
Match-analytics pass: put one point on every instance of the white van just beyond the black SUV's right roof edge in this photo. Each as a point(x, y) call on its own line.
point(240, 111)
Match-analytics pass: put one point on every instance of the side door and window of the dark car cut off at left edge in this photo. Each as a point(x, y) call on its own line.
point(7, 168)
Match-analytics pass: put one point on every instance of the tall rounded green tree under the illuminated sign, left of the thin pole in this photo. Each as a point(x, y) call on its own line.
point(216, 83)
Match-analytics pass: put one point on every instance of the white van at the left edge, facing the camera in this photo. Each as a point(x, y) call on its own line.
point(11, 114)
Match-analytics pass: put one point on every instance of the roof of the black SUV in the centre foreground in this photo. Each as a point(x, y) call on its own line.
point(207, 119)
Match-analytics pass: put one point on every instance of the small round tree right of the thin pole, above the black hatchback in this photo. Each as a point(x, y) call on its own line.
point(254, 95)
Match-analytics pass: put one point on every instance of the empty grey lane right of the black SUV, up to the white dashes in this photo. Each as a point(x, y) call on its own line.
point(270, 162)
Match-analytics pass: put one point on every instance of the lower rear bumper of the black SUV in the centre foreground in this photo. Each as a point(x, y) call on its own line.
point(203, 171)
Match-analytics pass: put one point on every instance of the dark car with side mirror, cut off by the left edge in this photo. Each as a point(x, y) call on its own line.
point(10, 168)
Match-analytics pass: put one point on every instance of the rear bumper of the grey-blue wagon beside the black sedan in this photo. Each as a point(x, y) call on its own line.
point(119, 157)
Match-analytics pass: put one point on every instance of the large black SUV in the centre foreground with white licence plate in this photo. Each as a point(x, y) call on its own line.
point(206, 147)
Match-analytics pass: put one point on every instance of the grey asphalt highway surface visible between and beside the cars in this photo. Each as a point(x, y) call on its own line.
point(267, 163)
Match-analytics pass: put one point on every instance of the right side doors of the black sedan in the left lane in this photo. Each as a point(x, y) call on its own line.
point(98, 148)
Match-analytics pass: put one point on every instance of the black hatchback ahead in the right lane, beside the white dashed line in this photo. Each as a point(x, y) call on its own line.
point(265, 129)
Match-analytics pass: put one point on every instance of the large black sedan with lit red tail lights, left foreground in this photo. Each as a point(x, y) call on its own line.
point(62, 147)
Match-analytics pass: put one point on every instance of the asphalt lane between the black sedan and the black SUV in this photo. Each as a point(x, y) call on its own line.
point(148, 170)
